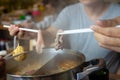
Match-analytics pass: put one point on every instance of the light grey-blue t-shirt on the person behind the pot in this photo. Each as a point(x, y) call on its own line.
point(75, 17)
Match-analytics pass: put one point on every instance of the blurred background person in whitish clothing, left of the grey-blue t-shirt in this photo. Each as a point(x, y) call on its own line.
point(49, 14)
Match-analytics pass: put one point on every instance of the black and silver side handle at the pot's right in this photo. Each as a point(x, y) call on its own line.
point(89, 67)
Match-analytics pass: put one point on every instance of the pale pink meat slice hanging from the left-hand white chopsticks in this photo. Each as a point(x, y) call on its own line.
point(40, 42)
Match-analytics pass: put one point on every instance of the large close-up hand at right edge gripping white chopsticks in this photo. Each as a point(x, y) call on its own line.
point(107, 34)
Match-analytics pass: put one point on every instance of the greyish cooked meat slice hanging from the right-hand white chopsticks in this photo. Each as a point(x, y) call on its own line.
point(59, 41)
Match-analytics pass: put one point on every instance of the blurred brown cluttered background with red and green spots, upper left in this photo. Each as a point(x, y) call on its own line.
point(17, 11)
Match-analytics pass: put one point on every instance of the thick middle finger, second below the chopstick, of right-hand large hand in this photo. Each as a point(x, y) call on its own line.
point(107, 40)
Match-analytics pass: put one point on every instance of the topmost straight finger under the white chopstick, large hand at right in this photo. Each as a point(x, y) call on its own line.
point(111, 32)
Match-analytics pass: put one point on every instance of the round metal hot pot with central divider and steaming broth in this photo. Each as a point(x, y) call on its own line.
point(51, 65)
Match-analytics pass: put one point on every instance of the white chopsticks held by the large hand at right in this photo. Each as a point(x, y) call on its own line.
point(85, 30)
